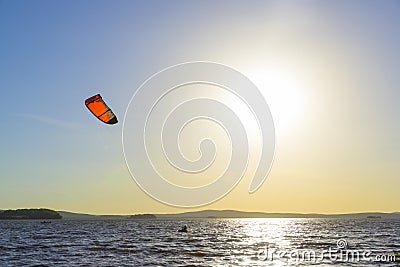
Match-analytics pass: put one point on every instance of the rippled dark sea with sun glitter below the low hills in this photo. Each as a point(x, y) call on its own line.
point(210, 242)
